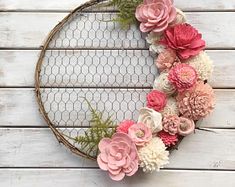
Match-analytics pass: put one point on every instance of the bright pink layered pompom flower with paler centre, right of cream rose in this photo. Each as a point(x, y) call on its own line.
point(183, 77)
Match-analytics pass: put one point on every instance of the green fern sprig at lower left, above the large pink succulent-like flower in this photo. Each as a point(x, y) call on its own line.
point(99, 129)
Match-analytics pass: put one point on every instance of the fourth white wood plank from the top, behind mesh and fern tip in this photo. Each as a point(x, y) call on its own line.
point(18, 107)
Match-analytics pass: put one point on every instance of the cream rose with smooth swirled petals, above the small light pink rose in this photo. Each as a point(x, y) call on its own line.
point(151, 119)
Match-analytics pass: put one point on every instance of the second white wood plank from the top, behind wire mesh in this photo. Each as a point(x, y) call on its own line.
point(215, 27)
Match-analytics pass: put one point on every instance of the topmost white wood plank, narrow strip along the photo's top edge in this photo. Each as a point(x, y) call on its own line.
point(66, 5)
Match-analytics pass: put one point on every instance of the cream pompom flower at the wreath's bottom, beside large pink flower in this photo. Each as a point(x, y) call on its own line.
point(153, 156)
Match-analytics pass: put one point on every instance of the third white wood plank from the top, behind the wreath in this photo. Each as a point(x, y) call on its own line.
point(17, 68)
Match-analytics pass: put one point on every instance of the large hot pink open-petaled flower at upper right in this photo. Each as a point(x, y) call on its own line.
point(184, 39)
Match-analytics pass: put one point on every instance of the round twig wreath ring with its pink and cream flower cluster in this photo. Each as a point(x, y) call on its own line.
point(182, 76)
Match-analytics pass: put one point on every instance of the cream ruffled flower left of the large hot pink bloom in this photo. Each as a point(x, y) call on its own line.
point(153, 39)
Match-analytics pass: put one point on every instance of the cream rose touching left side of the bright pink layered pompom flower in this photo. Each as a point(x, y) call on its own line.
point(162, 83)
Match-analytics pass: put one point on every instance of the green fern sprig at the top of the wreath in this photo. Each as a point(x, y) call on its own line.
point(126, 8)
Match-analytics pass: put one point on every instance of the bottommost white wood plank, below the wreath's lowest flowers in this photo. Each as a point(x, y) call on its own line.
point(94, 177)
